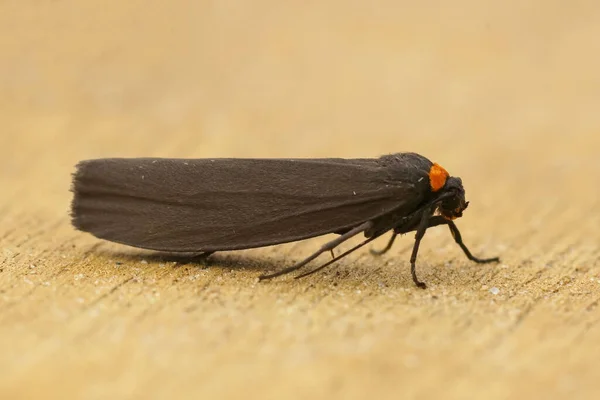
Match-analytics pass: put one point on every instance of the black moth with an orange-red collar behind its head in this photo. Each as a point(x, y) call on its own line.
point(208, 205)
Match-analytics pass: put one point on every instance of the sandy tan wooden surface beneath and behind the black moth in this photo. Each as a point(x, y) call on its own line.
point(503, 94)
